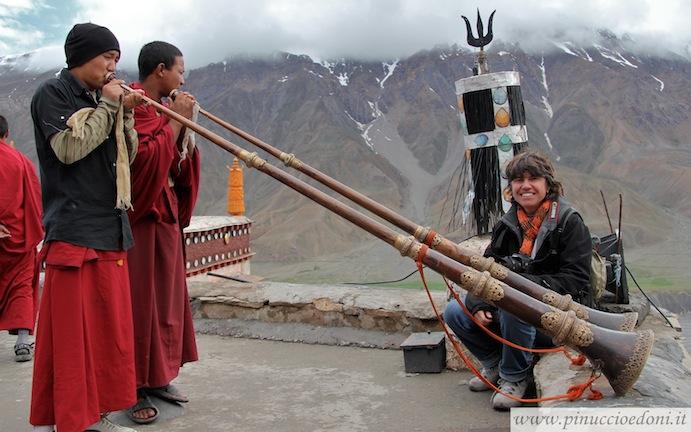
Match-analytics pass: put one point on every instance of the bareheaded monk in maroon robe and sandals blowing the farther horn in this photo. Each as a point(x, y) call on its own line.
point(165, 181)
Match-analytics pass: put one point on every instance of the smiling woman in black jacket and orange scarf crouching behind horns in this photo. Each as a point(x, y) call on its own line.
point(535, 240)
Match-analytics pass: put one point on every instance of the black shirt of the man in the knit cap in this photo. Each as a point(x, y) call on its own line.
point(78, 199)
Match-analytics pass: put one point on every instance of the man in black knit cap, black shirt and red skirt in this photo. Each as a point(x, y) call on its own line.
point(85, 140)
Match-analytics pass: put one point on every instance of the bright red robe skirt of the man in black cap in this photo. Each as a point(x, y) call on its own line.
point(84, 362)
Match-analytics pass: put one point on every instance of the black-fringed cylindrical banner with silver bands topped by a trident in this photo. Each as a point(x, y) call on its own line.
point(492, 120)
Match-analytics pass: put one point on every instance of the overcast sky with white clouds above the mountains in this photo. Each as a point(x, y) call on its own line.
point(208, 31)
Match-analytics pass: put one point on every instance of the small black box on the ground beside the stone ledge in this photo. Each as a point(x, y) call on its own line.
point(424, 352)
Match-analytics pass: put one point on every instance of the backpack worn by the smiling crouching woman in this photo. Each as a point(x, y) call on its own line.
point(607, 269)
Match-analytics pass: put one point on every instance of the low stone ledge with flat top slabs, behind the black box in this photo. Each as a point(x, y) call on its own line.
point(359, 307)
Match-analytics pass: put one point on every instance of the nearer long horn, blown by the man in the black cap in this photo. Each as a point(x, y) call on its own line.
point(620, 356)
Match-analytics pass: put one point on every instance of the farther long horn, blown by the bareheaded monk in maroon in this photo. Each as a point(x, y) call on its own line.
point(623, 322)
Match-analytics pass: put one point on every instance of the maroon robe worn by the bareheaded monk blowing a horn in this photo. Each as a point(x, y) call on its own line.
point(163, 328)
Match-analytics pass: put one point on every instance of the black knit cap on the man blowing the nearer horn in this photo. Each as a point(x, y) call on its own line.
point(86, 41)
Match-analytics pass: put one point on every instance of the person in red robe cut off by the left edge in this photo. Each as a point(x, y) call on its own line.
point(20, 232)
